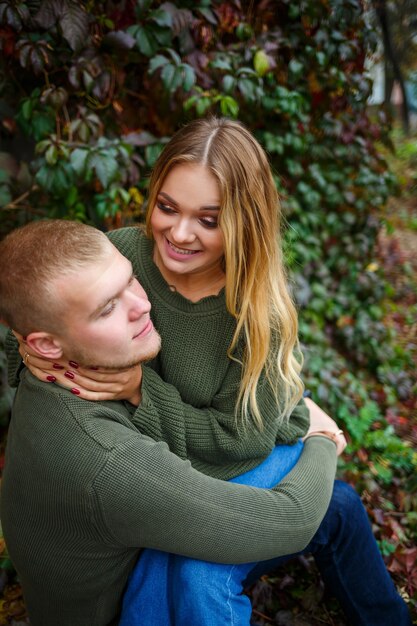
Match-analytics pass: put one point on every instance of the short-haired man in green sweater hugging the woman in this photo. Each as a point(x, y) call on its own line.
point(83, 490)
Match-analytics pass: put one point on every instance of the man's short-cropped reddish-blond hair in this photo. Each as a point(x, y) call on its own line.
point(32, 257)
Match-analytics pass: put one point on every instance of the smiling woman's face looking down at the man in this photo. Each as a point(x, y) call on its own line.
point(184, 221)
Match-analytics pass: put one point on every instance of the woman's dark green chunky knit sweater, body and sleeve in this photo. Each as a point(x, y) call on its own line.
point(200, 382)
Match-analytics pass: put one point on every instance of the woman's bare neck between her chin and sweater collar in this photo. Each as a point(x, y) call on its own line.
point(193, 286)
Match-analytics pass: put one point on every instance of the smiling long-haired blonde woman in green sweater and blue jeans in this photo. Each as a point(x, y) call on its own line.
point(211, 263)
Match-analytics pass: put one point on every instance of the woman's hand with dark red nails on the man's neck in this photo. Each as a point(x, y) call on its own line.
point(89, 383)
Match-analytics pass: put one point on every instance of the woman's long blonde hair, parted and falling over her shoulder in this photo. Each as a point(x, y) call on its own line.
point(256, 287)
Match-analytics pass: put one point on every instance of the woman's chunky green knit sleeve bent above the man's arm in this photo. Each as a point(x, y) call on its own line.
point(212, 437)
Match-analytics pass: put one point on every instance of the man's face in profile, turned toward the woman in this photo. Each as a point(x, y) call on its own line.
point(106, 318)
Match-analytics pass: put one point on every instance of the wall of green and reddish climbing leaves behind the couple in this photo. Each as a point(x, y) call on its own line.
point(95, 90)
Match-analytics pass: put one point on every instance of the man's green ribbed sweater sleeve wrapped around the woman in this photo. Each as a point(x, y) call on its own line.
point(155, 500)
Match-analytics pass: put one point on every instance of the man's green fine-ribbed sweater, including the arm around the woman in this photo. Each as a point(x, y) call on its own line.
point(83, 490)
